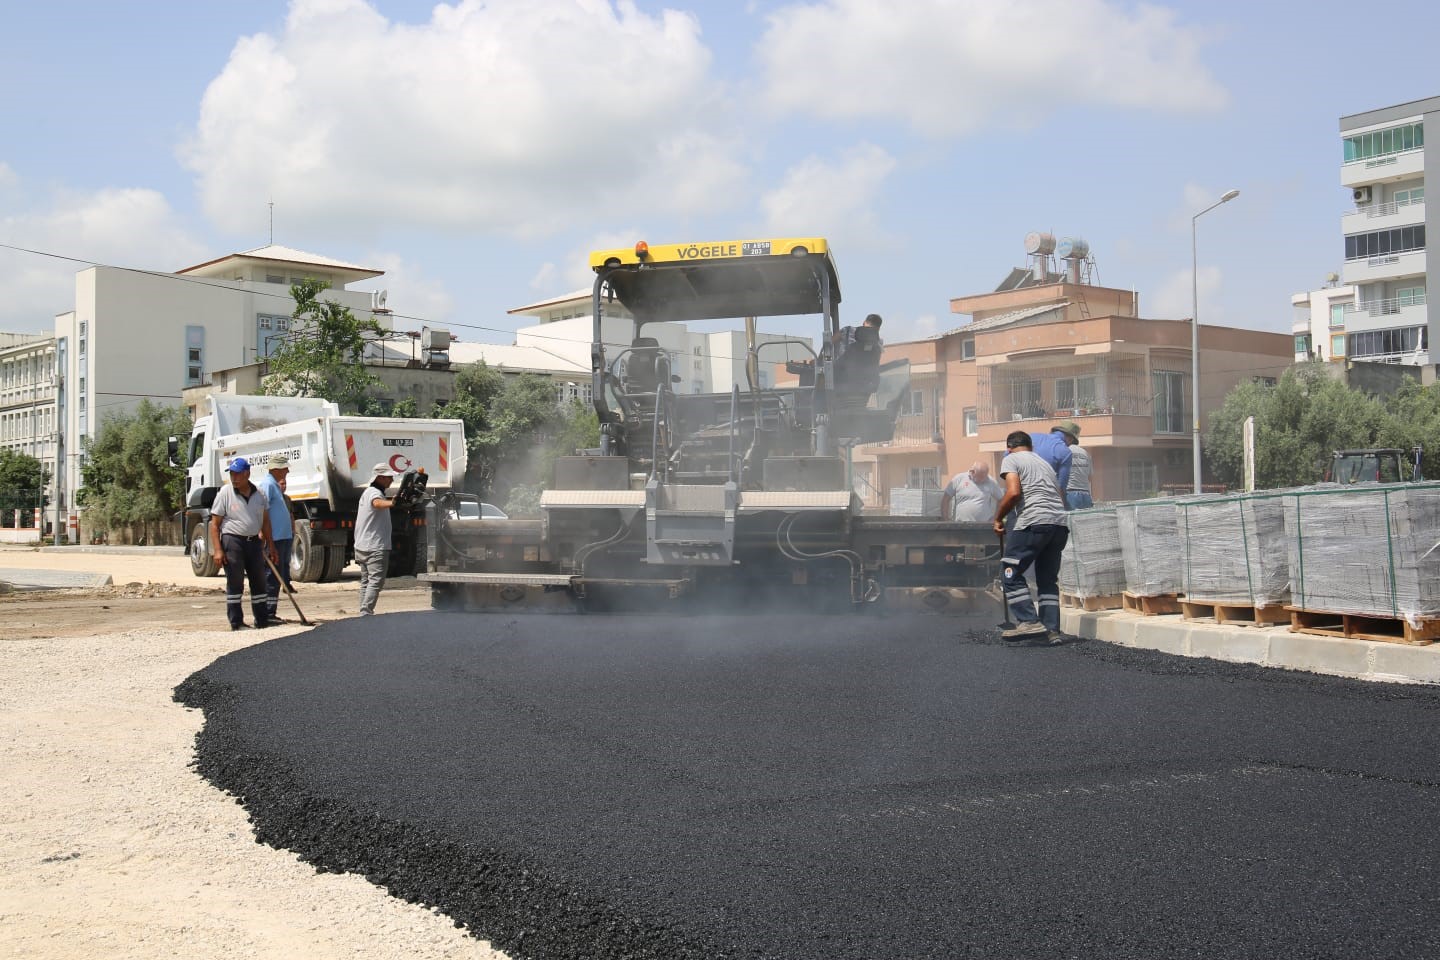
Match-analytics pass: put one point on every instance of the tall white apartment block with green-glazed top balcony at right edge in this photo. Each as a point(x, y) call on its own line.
point(1386, 168)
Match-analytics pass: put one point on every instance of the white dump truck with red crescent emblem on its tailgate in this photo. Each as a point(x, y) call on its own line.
point(330, 463)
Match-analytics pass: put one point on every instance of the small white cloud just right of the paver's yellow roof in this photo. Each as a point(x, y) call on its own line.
point(834, 199)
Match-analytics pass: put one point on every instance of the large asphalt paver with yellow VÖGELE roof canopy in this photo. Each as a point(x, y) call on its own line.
point(732, 497)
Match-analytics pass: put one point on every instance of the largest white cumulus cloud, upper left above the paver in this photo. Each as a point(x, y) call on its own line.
point(505, 117)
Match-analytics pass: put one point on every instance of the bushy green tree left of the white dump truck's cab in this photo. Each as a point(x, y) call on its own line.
point(127, 480)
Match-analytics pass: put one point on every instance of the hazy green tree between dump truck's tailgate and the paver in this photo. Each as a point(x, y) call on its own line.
point(515, 431)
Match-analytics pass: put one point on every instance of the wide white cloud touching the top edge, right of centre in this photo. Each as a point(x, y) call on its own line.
point(948, 68)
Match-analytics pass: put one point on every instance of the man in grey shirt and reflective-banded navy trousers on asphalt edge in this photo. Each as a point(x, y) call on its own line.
point(1038, 540)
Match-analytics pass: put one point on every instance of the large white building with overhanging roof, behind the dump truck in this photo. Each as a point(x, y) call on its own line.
point(145, 335)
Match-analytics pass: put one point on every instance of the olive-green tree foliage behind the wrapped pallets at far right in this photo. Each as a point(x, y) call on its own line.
point(1307, 417)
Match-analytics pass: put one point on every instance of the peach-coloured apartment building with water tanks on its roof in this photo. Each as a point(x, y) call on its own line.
point(1048, 348)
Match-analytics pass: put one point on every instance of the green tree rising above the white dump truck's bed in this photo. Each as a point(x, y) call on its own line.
point(323, 358)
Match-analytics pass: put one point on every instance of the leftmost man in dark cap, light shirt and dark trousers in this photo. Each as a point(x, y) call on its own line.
point(240, 536)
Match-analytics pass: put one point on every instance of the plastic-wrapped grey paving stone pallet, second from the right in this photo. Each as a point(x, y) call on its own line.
point(1235, 559)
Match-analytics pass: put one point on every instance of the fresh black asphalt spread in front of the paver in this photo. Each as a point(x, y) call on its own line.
point(836, 788)
